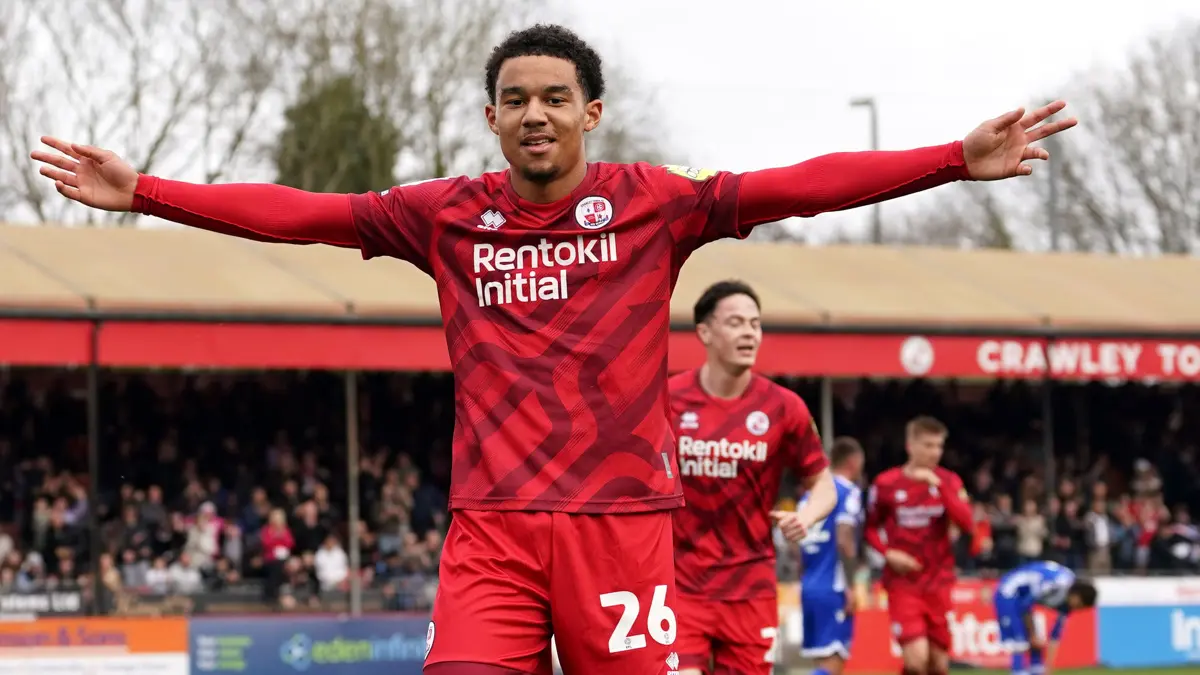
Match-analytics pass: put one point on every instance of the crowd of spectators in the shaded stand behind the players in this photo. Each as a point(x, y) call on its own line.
point(221, 485)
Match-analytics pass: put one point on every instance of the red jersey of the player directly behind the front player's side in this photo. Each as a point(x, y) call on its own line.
point(733, 455)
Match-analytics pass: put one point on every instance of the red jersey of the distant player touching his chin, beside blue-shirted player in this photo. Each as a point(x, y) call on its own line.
point(916, 518)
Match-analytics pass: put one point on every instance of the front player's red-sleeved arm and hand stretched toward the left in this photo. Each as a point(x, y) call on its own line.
point(262, 212)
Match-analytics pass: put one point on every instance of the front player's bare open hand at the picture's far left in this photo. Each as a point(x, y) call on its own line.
point(91, 176)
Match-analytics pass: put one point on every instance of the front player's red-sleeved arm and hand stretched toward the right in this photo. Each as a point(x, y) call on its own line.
point(998, 150)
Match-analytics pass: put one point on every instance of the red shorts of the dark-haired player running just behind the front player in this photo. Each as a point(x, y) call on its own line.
point(728, 636)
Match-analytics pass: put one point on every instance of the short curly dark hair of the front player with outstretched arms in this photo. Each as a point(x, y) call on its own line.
point(549, 40)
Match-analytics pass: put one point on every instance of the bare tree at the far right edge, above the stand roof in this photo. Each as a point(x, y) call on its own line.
point(1131, 175)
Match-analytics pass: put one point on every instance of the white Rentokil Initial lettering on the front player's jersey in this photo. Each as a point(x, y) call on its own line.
point(536, 272)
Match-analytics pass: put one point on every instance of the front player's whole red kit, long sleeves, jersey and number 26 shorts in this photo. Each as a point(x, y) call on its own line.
point(557, 320)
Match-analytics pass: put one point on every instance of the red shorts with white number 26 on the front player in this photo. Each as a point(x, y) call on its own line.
point(602, 586)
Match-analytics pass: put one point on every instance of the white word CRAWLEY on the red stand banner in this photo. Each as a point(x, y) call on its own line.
point(1089, 360)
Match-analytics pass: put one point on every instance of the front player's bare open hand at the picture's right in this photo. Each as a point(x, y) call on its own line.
point(999, 148)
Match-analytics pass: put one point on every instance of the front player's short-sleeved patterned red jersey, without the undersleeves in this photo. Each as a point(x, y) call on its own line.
point(557, 320)
